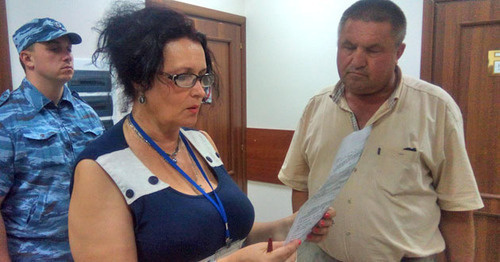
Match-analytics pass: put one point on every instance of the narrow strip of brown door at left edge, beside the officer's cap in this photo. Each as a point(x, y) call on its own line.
point(5, 73)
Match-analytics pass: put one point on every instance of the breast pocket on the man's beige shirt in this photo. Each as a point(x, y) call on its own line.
point(397, 171)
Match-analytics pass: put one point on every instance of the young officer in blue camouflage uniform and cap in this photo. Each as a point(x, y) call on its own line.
point(43, 128)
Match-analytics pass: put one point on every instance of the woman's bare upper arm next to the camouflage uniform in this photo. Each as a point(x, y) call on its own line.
point(100, 223)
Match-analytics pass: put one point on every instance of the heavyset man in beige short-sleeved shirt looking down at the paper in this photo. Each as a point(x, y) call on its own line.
point(412, 192)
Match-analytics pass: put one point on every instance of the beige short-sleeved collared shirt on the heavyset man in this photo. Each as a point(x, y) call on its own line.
point(414, 164)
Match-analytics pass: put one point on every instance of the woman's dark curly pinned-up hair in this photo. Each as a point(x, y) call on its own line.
point(132, 38)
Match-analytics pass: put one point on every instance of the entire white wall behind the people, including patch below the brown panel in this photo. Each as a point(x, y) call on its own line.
point(291, 53)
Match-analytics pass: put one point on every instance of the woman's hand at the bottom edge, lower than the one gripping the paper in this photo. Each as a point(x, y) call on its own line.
point(258, 252)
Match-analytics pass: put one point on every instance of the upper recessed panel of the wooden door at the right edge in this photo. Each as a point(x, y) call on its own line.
point(479, 99)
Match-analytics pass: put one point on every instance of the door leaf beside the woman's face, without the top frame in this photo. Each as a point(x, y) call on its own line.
point(223, 118)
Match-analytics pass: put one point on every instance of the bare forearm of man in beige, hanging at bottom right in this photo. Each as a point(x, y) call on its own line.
point(458, 232)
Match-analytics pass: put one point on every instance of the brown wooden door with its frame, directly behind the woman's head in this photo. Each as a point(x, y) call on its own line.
point(225, 118)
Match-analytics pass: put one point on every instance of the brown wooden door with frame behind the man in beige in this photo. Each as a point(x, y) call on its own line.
point(457, 37)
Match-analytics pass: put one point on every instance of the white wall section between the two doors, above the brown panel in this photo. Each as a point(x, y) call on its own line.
point(291, 54)
